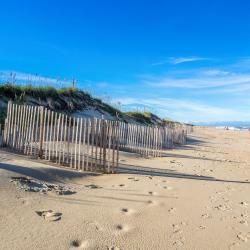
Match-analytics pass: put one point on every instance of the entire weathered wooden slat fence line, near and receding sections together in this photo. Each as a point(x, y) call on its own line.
point(86, 144)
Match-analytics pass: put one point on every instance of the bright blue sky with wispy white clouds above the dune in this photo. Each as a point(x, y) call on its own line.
point(188, 60)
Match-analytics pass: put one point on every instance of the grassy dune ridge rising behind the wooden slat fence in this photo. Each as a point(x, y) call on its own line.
point(67, 100)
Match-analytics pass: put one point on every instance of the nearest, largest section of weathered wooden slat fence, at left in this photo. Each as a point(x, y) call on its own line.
point(79, 143)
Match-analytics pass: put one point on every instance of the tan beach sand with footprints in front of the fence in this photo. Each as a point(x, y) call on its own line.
point(195, 197)
